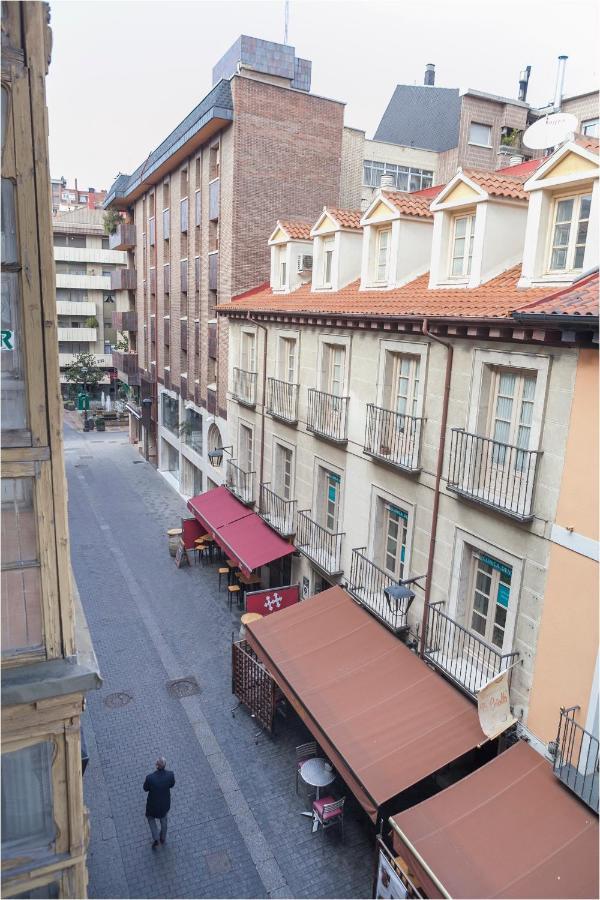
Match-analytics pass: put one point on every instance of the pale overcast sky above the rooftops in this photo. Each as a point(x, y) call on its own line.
point(124, 73)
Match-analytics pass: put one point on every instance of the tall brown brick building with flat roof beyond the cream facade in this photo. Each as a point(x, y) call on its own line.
point(198, 212)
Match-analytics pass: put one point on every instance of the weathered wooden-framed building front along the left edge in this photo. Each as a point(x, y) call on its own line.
point(48, 663)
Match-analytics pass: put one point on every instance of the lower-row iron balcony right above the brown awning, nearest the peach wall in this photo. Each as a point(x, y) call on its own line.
point(463, 656)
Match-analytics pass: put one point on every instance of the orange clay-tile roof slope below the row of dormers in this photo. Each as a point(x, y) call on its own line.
point(497, 298)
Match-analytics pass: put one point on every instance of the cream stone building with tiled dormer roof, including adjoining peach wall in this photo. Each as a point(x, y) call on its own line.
point(414, 406)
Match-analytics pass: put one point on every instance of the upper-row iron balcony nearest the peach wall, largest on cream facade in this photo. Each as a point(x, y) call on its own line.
point(496, 475)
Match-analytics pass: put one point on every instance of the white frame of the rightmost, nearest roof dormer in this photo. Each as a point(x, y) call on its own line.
point(544, 191)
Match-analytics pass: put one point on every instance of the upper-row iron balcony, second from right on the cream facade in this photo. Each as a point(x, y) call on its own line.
point(393, 438)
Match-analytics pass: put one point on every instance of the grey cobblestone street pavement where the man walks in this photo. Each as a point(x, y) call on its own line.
point(235, 828)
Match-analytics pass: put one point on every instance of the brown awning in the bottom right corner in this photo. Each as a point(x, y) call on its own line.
point(508, 830)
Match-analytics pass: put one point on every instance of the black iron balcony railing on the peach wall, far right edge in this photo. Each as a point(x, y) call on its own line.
point(576, 758)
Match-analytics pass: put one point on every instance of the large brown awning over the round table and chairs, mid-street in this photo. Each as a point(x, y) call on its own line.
point(385, 719)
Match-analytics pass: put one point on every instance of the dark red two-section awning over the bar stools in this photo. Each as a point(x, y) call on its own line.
point(237, 530)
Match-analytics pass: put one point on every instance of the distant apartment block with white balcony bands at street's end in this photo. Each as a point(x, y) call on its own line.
point(85, 299)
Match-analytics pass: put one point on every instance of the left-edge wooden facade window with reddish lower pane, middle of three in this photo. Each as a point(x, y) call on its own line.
point(21, 573)
